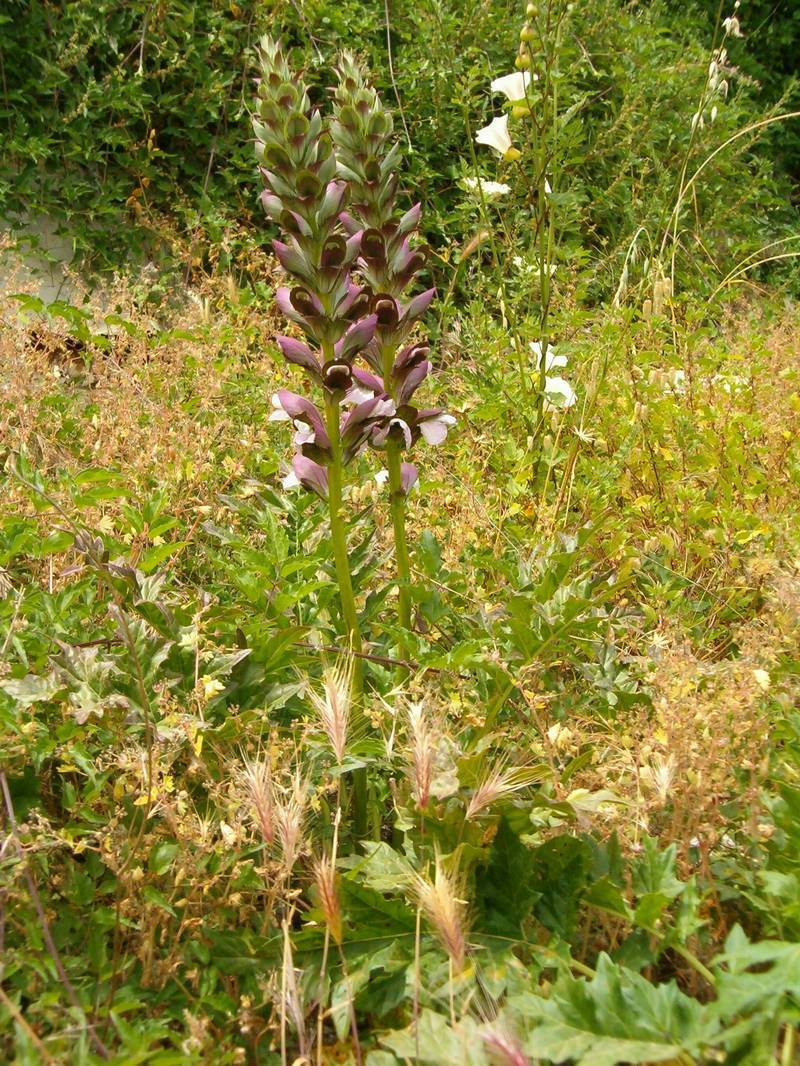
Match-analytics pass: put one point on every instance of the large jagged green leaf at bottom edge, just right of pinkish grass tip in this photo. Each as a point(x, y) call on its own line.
point(617, 1017)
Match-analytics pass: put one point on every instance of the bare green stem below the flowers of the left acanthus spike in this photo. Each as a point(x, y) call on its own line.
point(349, 613)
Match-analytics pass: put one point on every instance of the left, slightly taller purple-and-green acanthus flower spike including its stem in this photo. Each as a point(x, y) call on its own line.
point(306, 197)
